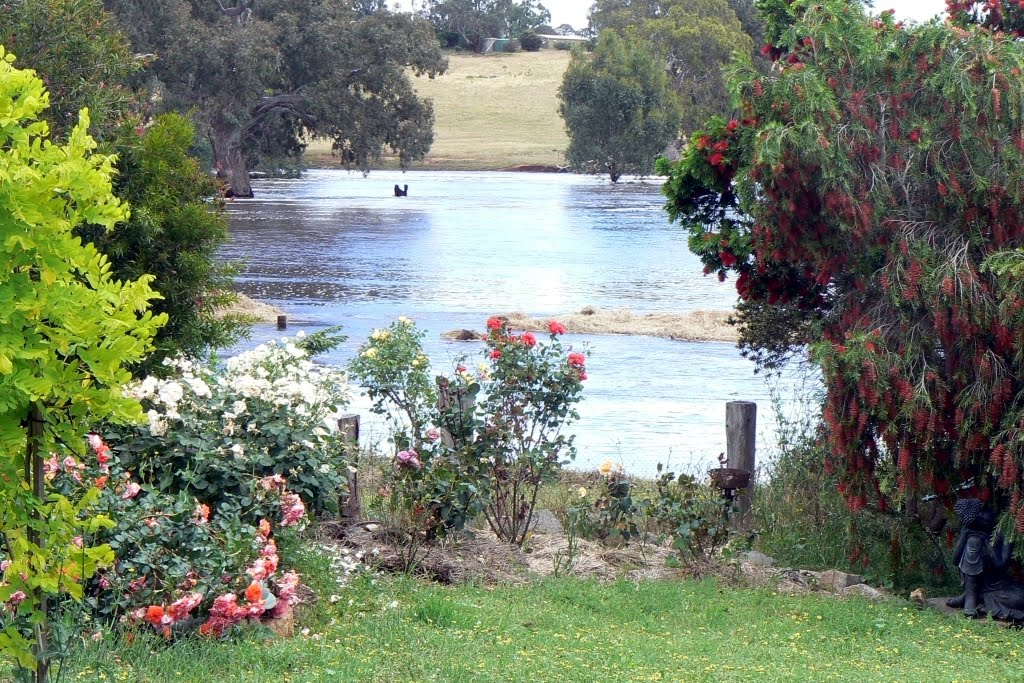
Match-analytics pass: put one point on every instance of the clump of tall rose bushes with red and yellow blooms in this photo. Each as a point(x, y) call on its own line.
point(456, 456)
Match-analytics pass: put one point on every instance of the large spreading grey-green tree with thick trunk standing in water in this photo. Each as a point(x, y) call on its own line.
point(280, 72)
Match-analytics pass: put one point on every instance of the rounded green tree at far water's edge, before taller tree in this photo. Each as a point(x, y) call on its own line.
point(619, 110)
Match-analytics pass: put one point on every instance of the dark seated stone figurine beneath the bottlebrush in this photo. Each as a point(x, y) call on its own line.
point(984, 567)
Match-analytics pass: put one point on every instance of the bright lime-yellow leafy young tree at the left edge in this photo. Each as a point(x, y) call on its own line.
point(67, 329)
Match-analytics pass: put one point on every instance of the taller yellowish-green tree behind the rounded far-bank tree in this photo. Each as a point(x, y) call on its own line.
point(695, 39)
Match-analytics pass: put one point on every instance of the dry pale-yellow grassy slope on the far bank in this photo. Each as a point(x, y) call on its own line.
point(493, 112)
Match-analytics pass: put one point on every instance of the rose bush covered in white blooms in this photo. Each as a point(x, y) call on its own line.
point(217, 429)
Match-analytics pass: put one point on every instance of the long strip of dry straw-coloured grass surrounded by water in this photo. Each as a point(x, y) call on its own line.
point(691, 326)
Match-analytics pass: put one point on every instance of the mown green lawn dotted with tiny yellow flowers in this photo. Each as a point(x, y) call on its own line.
point(568, 630)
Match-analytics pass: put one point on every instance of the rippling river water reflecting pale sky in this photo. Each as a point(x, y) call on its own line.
point(337, 248)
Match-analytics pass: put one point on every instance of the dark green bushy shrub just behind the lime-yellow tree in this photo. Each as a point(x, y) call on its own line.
point(174, 235)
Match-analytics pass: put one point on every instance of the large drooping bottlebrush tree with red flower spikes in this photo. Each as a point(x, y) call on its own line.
point(859, 199)
